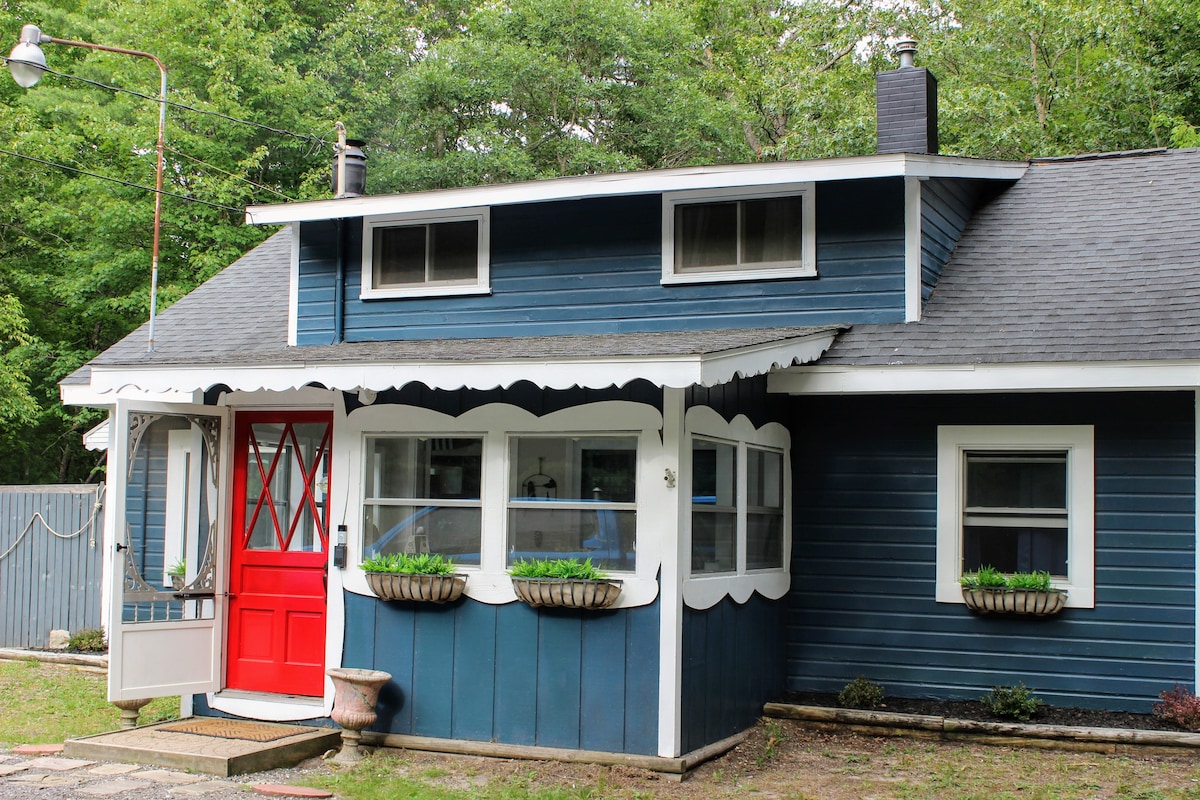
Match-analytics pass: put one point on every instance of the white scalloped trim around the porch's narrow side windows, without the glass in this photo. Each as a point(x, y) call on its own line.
point(707, 591)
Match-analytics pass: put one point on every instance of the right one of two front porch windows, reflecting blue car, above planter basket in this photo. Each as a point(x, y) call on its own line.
point(574, 497)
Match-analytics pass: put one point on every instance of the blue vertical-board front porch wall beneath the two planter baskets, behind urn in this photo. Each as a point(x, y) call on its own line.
point(512, 673)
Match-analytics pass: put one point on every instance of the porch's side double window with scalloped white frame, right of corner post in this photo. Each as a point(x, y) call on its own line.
point(740, 515)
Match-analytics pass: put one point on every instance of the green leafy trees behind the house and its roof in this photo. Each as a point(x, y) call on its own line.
point(452, 93)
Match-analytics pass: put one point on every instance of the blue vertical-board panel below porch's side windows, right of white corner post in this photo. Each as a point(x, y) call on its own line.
point(733, 664)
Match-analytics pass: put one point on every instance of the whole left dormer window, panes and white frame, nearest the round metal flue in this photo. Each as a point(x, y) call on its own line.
point(427, 255)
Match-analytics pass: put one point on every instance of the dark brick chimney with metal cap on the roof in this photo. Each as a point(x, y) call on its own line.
point(907, 106)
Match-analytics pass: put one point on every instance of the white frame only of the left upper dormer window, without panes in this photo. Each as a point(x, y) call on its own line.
point(482, 286)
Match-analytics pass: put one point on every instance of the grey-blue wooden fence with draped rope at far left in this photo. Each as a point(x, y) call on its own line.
point(51, 546)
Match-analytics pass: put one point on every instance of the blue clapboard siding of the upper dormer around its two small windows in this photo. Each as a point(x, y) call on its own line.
point(595, 267)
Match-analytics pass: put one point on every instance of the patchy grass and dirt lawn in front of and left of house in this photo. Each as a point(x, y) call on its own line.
point(779, 761)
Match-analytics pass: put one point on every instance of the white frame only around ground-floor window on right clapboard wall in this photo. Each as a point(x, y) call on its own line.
point(1079, 443)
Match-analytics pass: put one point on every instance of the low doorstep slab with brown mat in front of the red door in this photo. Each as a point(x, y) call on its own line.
point(208, 745)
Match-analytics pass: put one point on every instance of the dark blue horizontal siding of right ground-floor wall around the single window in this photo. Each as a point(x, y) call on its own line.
point(862, 600)
